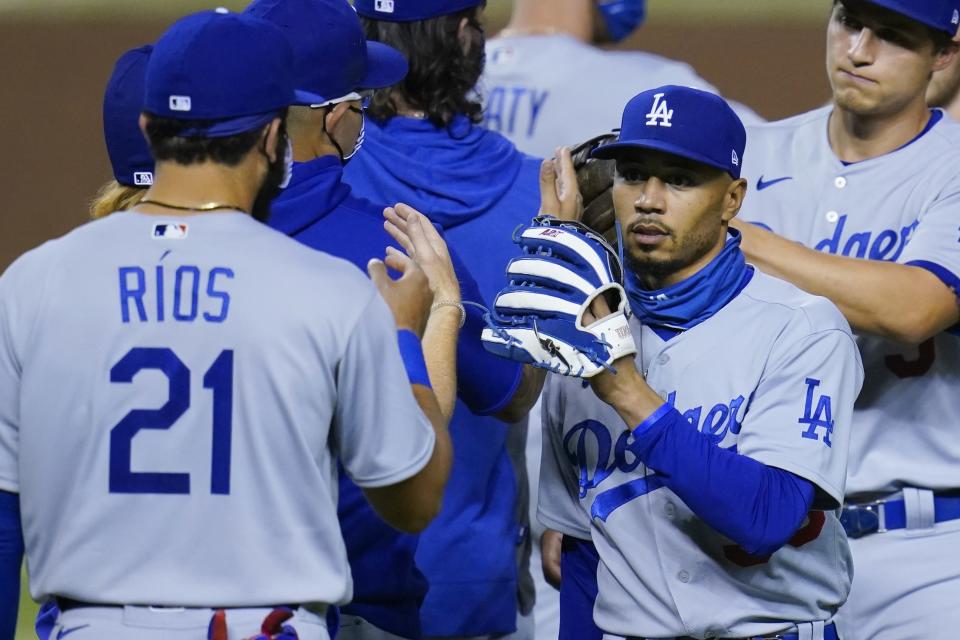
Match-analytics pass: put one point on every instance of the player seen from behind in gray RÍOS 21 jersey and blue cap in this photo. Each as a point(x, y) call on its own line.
point(184, 373)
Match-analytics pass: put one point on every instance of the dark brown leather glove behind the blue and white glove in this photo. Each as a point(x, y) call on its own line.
point(595, 179)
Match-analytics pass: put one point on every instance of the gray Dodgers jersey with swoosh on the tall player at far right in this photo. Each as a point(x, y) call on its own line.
point(902, 207)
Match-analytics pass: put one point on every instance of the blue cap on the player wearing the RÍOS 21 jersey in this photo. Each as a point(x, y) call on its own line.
point(231, 70)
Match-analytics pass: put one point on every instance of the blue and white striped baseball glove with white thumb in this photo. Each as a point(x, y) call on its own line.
point(539, 317)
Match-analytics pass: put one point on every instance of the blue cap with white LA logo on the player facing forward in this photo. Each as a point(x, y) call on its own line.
point(685, 122)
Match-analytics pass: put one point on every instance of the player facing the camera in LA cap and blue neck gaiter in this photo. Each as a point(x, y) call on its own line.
point(708, 468)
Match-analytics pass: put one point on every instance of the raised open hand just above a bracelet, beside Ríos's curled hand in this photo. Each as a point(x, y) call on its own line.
point(422, 242)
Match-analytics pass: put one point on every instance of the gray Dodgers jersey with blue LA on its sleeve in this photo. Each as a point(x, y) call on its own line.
point(772, 375)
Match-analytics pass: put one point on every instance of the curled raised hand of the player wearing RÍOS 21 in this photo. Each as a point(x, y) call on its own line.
point(409, 297)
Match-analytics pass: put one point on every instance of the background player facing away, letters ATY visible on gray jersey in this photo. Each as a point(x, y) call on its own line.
point(528, 95)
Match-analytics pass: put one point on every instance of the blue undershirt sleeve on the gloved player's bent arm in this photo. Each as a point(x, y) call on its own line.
point(757, 506)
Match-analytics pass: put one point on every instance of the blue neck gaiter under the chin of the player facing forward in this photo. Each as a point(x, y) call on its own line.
point(688, 303)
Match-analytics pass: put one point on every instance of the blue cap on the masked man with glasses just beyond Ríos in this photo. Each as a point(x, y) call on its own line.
point(331, 56)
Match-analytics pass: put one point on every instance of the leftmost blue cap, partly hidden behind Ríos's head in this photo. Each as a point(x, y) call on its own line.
point(122, 103)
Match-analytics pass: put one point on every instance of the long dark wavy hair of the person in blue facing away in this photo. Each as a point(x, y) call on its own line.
point(442, 77)
